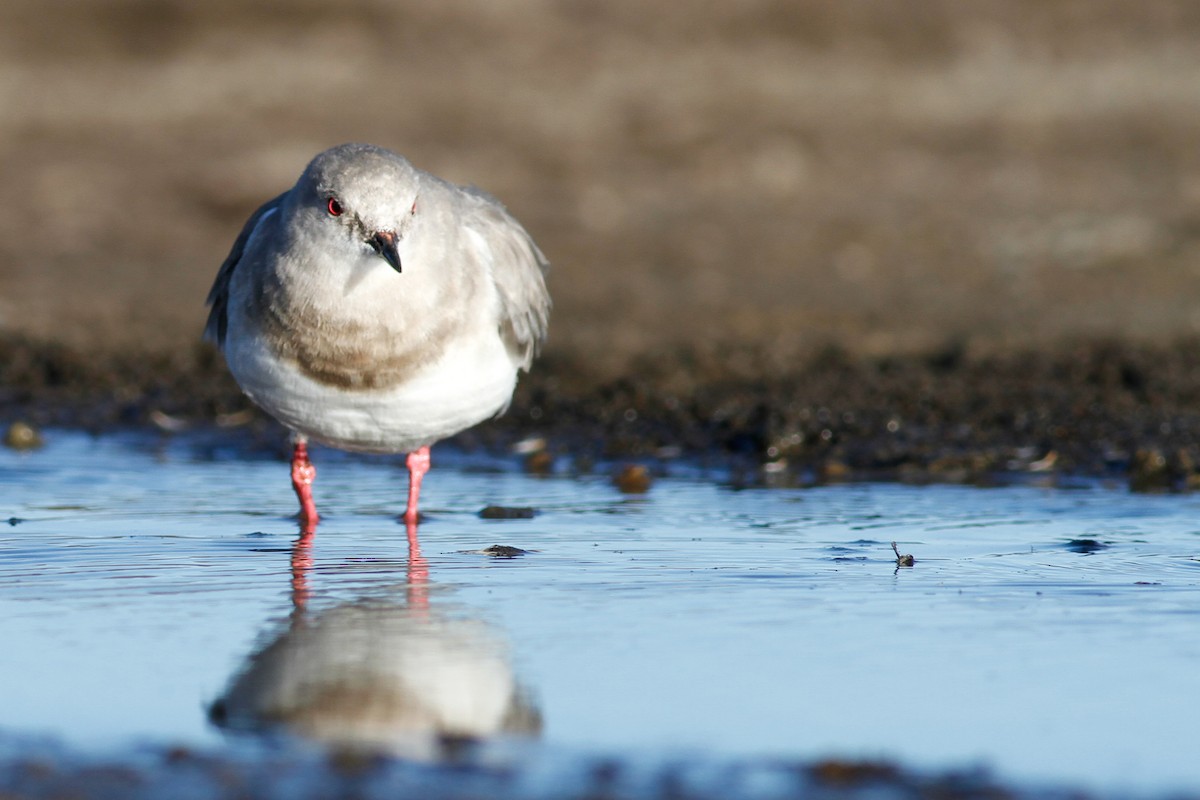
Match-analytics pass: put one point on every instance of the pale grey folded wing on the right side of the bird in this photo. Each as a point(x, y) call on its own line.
point(519, 269)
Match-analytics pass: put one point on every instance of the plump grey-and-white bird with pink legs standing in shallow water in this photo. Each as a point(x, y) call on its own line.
point(375, 308)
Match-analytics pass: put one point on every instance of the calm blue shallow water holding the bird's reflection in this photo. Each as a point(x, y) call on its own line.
point(1049, 635)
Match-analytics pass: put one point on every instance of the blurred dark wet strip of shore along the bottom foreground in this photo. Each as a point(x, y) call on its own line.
point(49, 769)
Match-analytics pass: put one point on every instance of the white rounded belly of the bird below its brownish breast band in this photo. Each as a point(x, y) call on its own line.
point(471, 382)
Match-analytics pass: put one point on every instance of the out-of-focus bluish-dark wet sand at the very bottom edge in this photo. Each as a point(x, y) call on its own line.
point(302, 775)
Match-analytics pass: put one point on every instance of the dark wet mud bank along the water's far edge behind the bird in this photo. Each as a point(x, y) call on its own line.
point(1096, 408)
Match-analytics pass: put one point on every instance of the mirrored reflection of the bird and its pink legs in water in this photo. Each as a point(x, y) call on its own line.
point(380, 675)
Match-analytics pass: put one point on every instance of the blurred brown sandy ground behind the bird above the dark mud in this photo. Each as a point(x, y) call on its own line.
point(889, 175)
